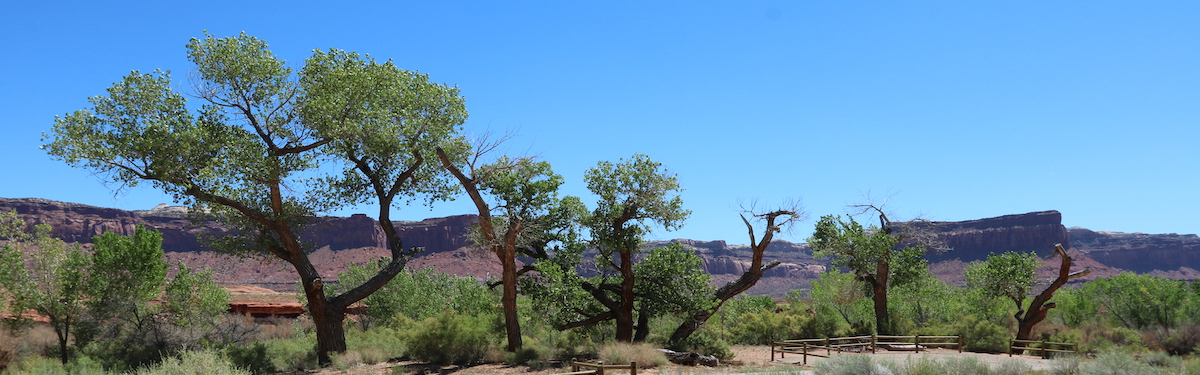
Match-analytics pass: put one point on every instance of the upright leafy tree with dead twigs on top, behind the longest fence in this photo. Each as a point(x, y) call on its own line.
point(872, 255)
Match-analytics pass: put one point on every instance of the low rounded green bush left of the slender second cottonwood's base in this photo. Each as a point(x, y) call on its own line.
point(452, 338)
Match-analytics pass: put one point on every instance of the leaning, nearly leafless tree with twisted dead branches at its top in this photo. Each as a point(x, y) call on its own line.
point(773, 222)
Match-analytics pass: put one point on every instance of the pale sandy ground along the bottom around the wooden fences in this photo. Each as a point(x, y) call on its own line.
point(748, 360)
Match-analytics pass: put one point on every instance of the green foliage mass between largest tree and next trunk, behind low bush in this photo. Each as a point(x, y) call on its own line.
point(419, 295)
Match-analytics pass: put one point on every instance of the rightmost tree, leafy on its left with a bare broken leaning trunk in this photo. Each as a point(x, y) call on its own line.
point(1012, 276)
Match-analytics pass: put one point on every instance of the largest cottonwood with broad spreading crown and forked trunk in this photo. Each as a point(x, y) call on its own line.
point(256, 152)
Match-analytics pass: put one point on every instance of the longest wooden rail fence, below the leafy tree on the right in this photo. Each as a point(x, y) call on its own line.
point(807, 348)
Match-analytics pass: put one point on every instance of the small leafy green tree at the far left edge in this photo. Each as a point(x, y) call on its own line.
point(46, 276)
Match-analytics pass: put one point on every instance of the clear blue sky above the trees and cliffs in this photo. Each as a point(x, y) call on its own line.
point(955, 110)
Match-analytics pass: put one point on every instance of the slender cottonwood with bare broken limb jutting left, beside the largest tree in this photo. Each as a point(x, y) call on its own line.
point(511, 195)
